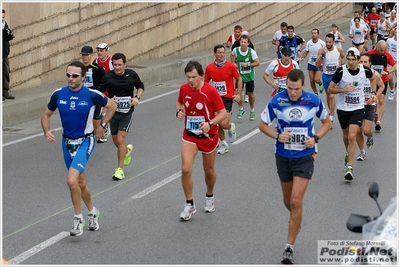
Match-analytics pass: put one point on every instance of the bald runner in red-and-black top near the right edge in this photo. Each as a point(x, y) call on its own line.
point(380, 59)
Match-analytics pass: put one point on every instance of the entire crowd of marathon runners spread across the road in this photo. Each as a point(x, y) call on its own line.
point(205, 103)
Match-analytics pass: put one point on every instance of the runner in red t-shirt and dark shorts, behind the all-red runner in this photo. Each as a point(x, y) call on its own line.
point(223, 73)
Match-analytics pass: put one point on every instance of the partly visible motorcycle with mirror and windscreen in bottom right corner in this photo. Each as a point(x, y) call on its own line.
point(379, 234)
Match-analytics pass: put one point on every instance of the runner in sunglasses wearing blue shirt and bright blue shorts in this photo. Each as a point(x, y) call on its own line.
point(75, 103)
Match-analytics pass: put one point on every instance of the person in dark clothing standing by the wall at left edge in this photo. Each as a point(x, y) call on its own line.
point(8, 35)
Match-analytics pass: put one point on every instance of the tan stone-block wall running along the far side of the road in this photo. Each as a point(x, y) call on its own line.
point(50, 35)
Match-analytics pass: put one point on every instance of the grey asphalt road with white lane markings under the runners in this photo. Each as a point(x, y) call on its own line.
point(140, 214)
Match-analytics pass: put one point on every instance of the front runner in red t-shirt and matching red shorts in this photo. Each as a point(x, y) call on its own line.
point(202, 109)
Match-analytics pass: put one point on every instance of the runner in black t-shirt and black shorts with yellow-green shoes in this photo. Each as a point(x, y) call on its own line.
point(120, 83)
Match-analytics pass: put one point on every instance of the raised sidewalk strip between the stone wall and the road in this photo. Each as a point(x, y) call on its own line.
point(30, 103)
